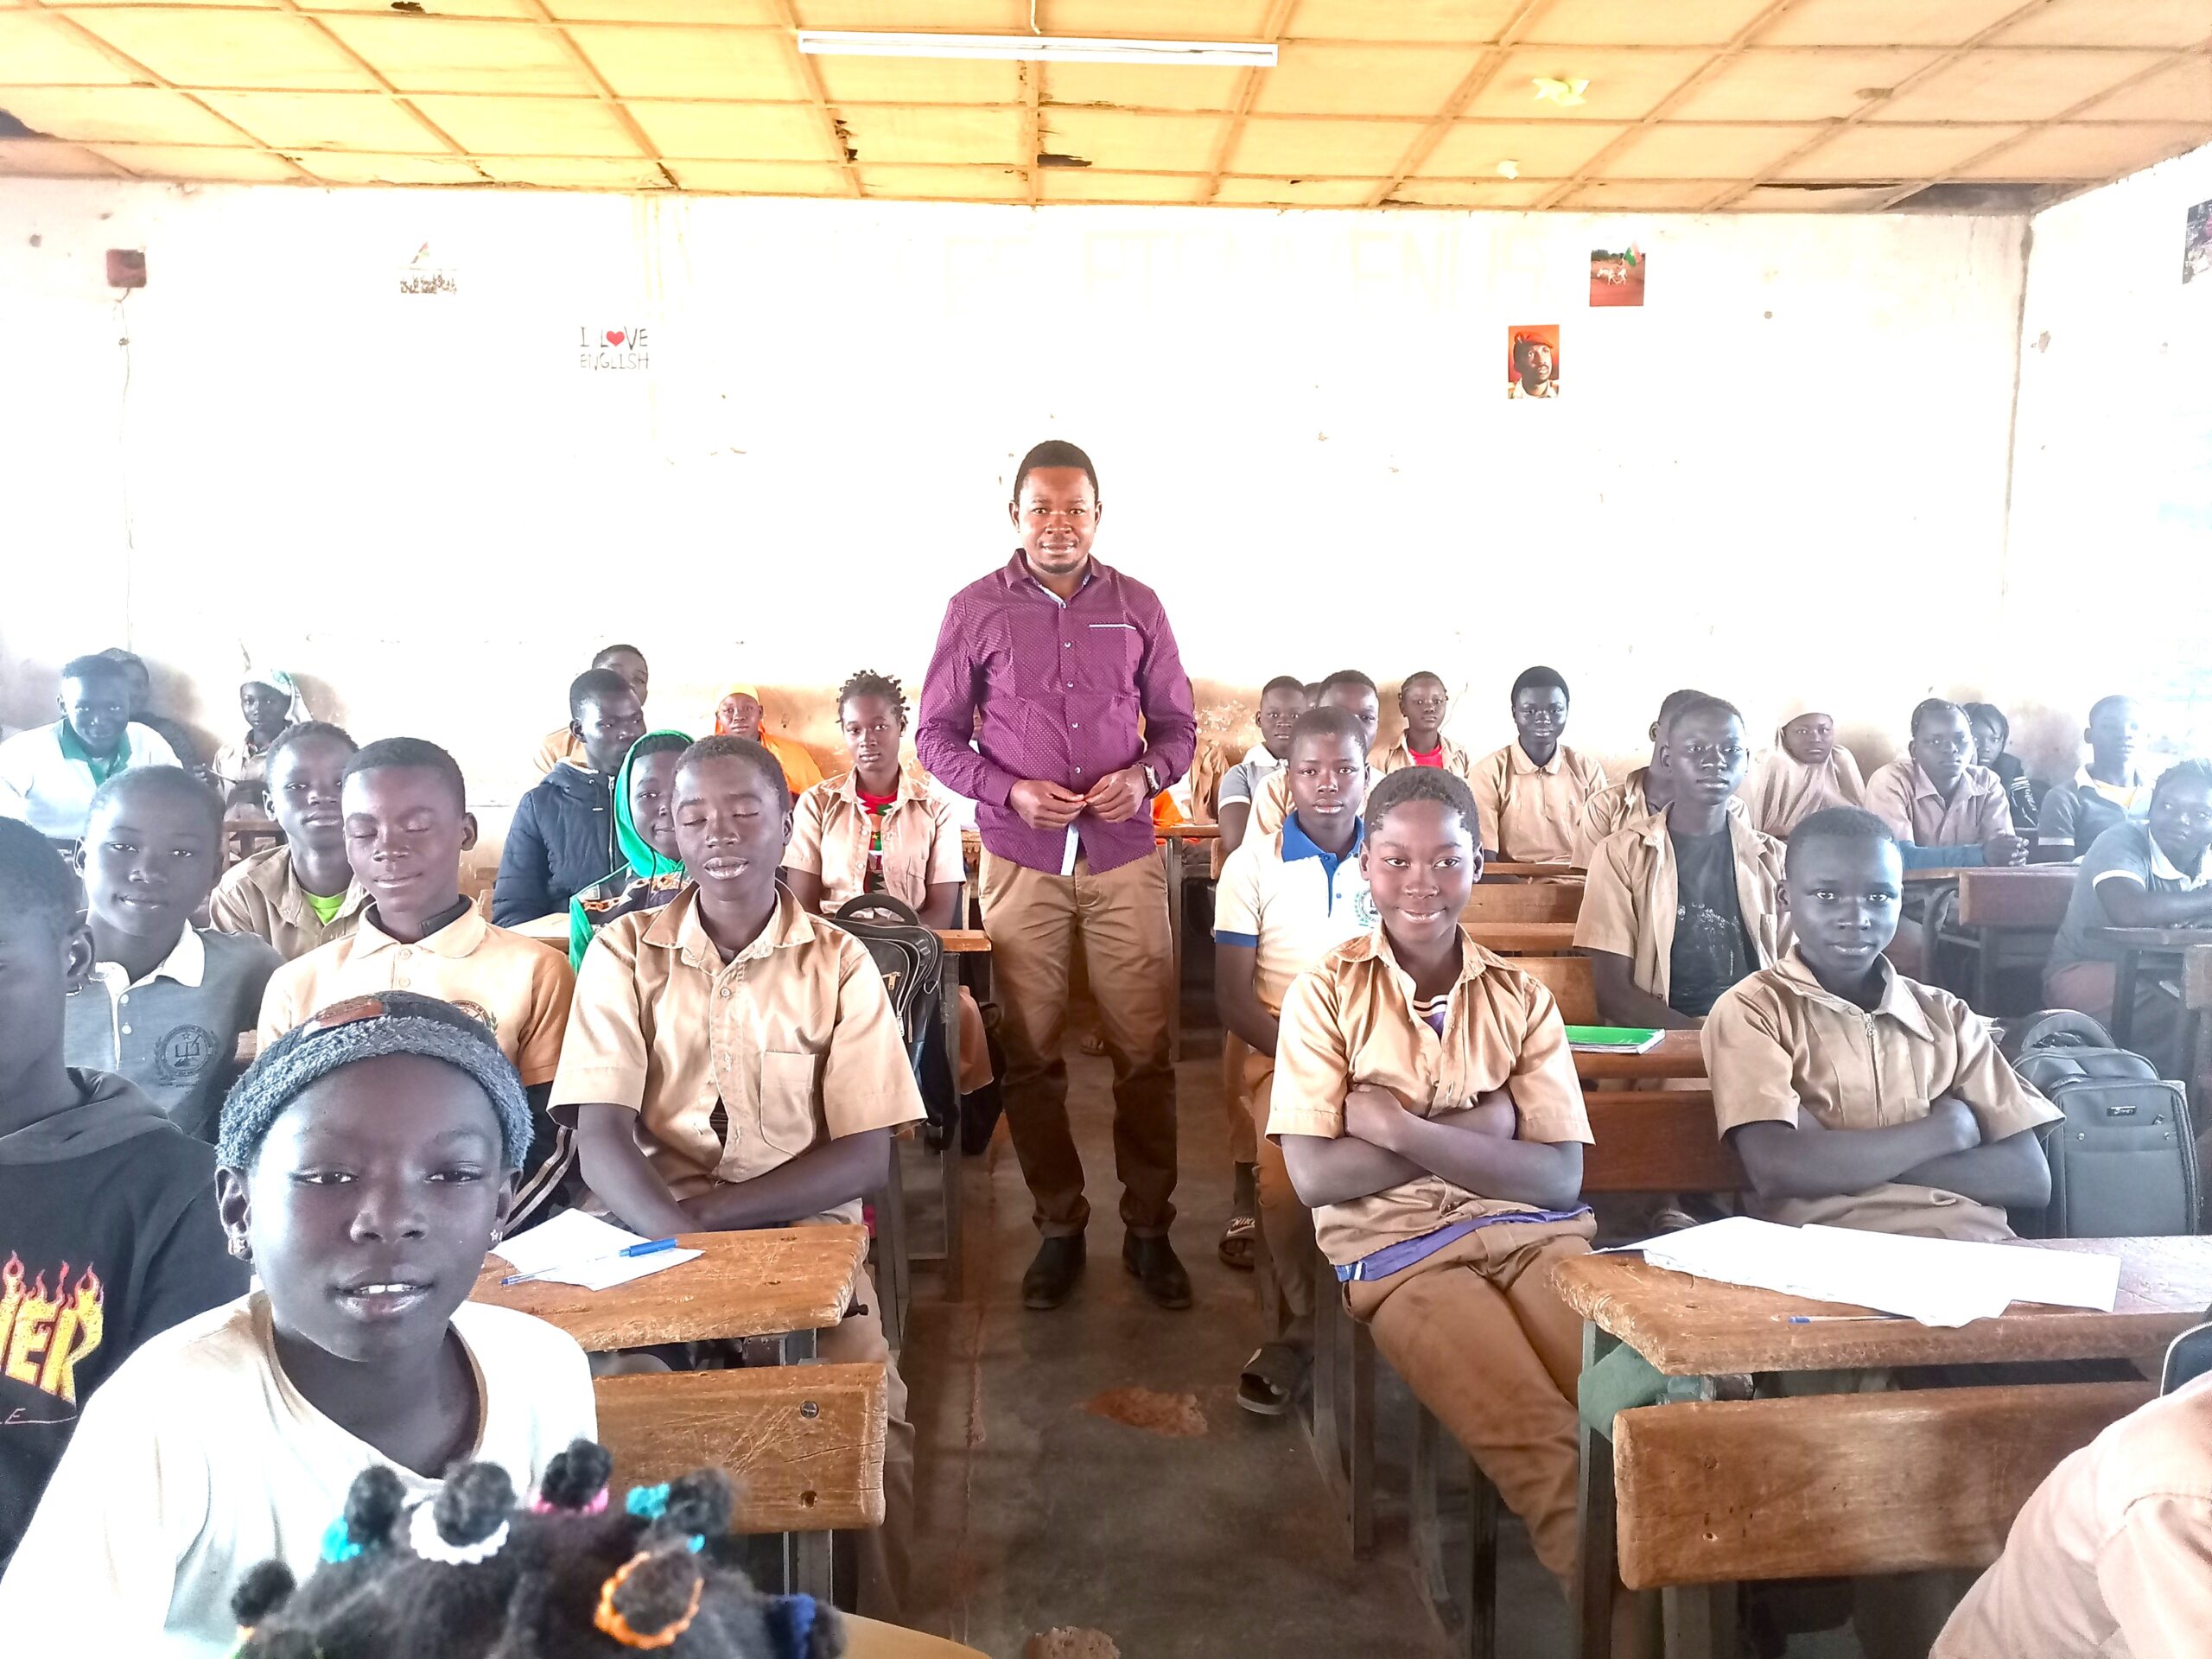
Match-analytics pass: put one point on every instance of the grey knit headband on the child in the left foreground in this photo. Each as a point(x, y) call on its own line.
point(408, 1025)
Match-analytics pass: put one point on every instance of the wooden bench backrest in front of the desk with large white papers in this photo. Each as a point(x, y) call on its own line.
point(1841, 1485)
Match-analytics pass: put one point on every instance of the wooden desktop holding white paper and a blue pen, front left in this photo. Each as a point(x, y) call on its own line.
point(780, 1284)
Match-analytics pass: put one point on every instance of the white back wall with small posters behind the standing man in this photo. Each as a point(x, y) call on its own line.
point(1784, 477)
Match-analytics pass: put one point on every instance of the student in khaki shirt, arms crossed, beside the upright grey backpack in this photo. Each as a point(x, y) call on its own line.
point(1857, 1096)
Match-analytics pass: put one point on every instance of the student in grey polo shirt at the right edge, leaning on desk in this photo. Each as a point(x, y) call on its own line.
point(2138, 875)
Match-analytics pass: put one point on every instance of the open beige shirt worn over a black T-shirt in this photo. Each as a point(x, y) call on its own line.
point(1629, 899)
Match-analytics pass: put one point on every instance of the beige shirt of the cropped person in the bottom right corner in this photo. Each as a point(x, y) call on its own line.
point(2114, 1554)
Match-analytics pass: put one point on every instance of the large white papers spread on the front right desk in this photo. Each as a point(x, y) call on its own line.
point(1930, 1280)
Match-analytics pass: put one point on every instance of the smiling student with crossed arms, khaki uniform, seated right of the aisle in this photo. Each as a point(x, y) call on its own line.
point(1428, 1112)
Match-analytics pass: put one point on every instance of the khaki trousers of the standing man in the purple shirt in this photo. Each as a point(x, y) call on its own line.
point(1034, 919)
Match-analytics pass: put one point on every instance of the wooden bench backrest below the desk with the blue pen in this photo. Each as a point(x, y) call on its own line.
point(804, 1443)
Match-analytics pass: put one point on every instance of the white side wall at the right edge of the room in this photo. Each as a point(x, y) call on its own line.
point(2111, 525)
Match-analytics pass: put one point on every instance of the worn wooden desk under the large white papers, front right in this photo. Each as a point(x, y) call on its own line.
point(1704, 1331)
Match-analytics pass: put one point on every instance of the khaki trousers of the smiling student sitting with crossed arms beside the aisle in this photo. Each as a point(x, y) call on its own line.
point(1488, 1344)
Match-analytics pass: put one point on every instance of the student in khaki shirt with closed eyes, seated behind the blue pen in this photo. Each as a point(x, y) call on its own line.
point(735, 1063)
